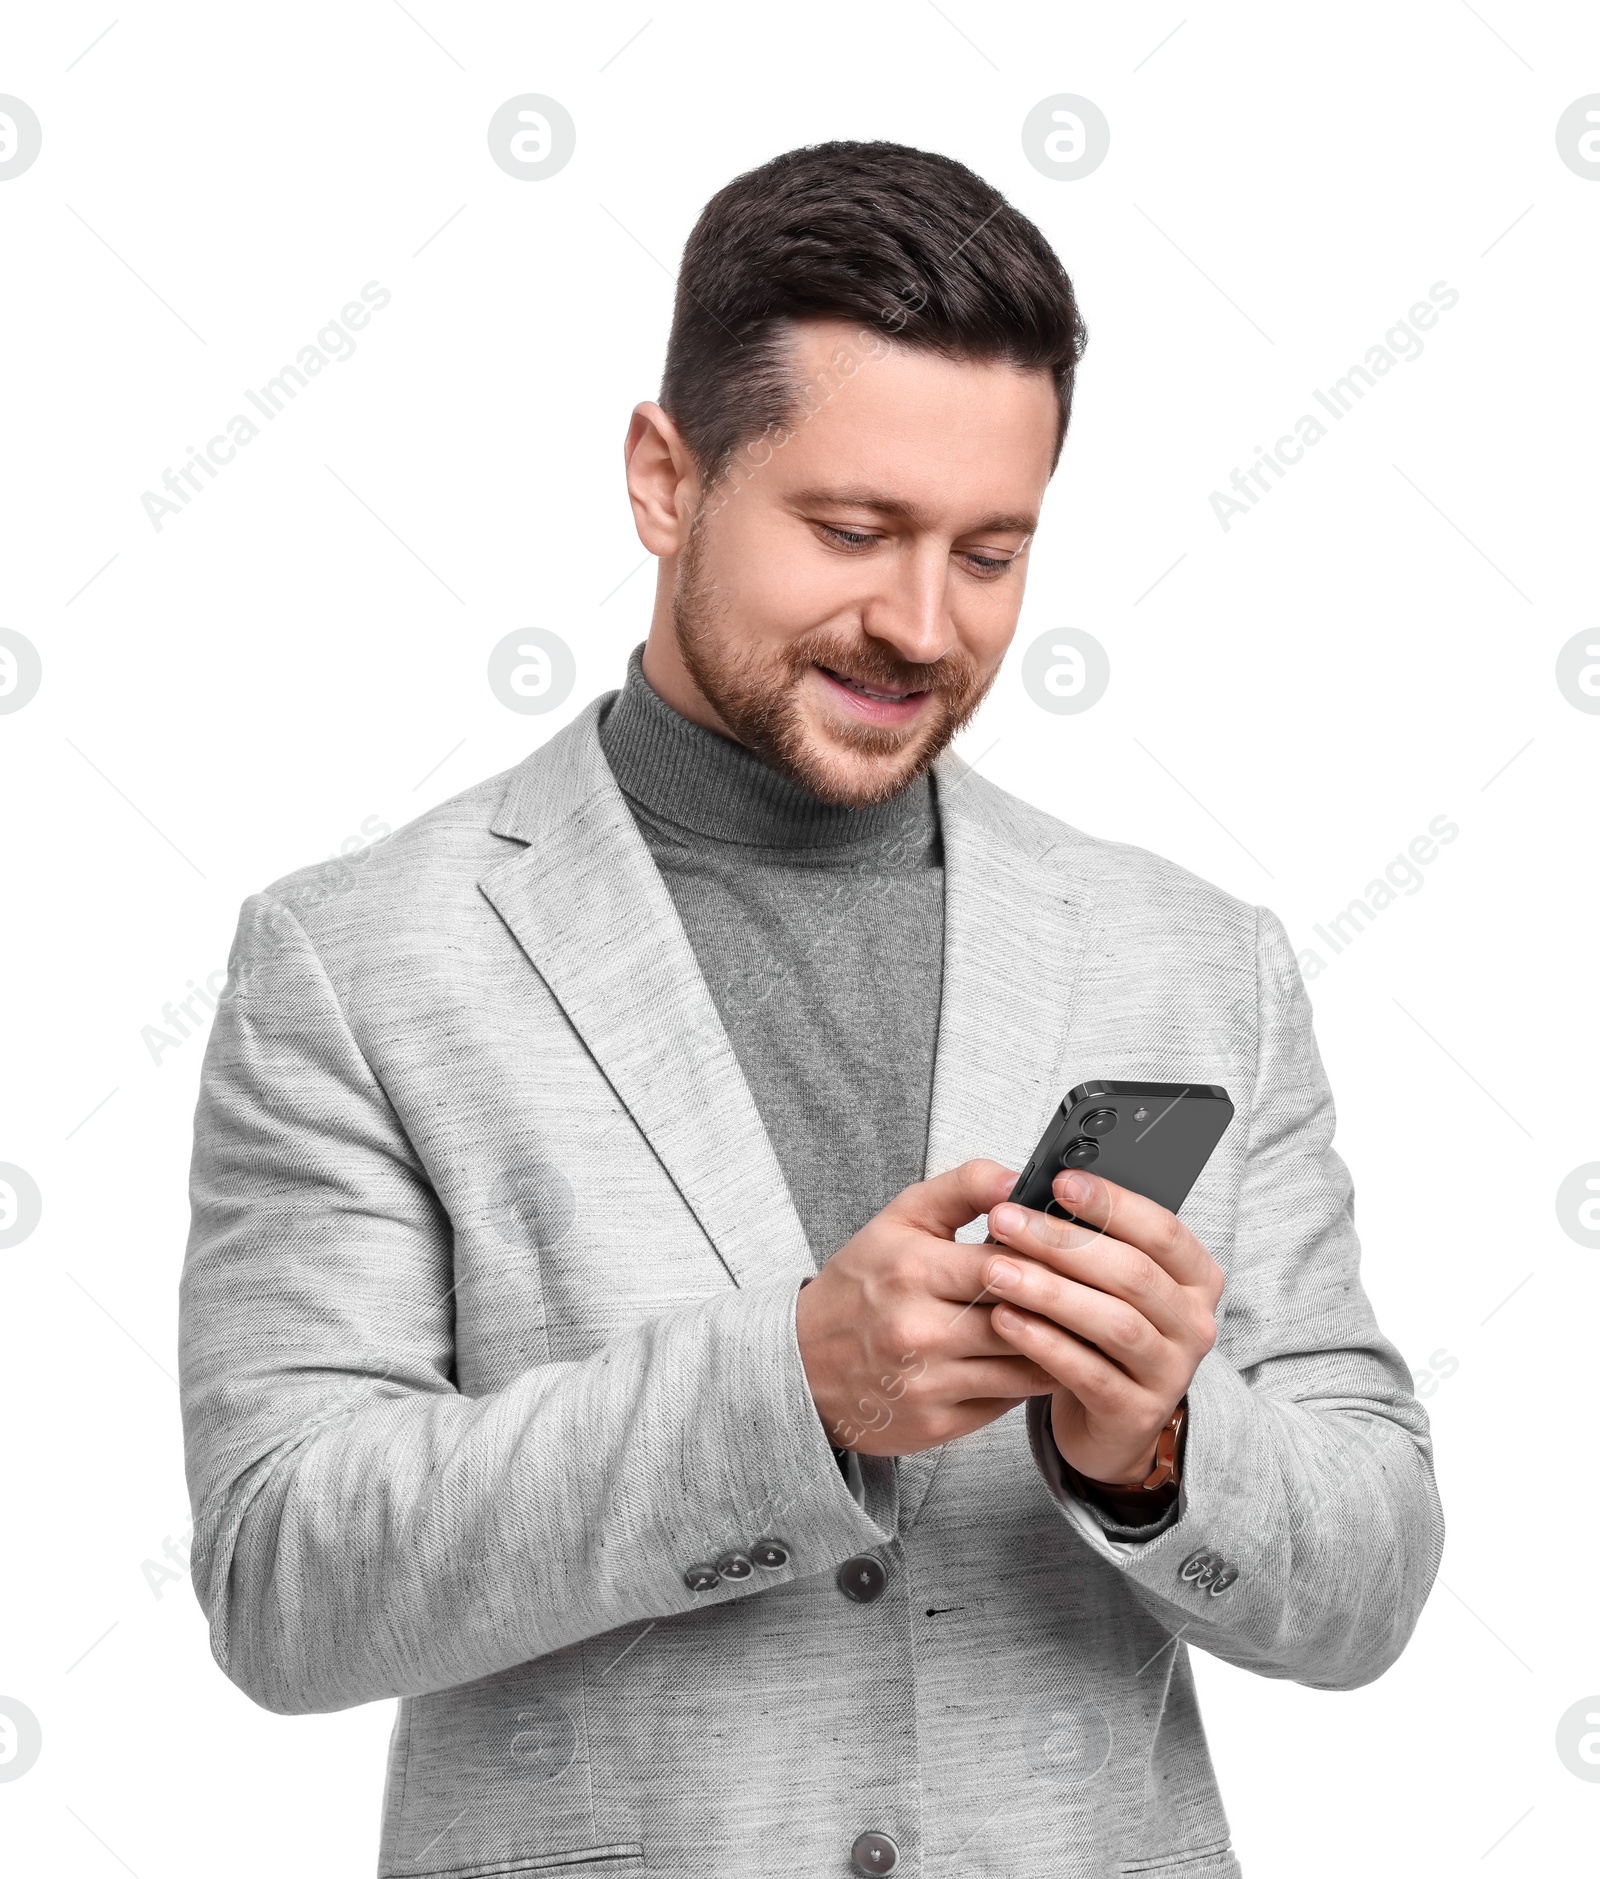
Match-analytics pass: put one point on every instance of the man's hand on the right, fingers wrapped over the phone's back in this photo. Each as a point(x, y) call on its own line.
point(1118, 1318)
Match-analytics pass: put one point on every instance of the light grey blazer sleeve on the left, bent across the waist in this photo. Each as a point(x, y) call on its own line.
point(363, 1530)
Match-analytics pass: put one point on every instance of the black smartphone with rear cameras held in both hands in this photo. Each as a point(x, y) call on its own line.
point(1152, 1138)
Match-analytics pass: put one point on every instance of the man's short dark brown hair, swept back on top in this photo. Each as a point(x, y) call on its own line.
point(908, 243)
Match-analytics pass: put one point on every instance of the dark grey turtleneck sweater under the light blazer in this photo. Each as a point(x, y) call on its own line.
point(822, 937)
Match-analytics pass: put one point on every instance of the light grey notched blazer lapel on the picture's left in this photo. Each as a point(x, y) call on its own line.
point(592, 914)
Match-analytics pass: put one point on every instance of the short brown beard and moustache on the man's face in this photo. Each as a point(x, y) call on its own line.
point(758, 696)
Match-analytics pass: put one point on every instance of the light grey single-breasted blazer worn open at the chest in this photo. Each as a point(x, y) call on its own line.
point(493, 1399)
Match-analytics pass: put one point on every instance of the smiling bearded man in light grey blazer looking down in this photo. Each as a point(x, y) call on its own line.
point(602, 1324)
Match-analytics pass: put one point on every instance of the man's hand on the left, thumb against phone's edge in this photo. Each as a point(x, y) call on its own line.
point(897, 1346)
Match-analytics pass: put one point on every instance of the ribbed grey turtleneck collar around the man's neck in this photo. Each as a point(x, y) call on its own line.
point(703, 783)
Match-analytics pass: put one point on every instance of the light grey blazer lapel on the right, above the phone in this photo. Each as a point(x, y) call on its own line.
point(1017, 910)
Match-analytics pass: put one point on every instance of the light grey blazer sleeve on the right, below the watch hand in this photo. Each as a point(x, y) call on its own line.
point(1308, 1527)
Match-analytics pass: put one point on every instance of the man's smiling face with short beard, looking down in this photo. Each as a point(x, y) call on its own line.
point(848, 595)
